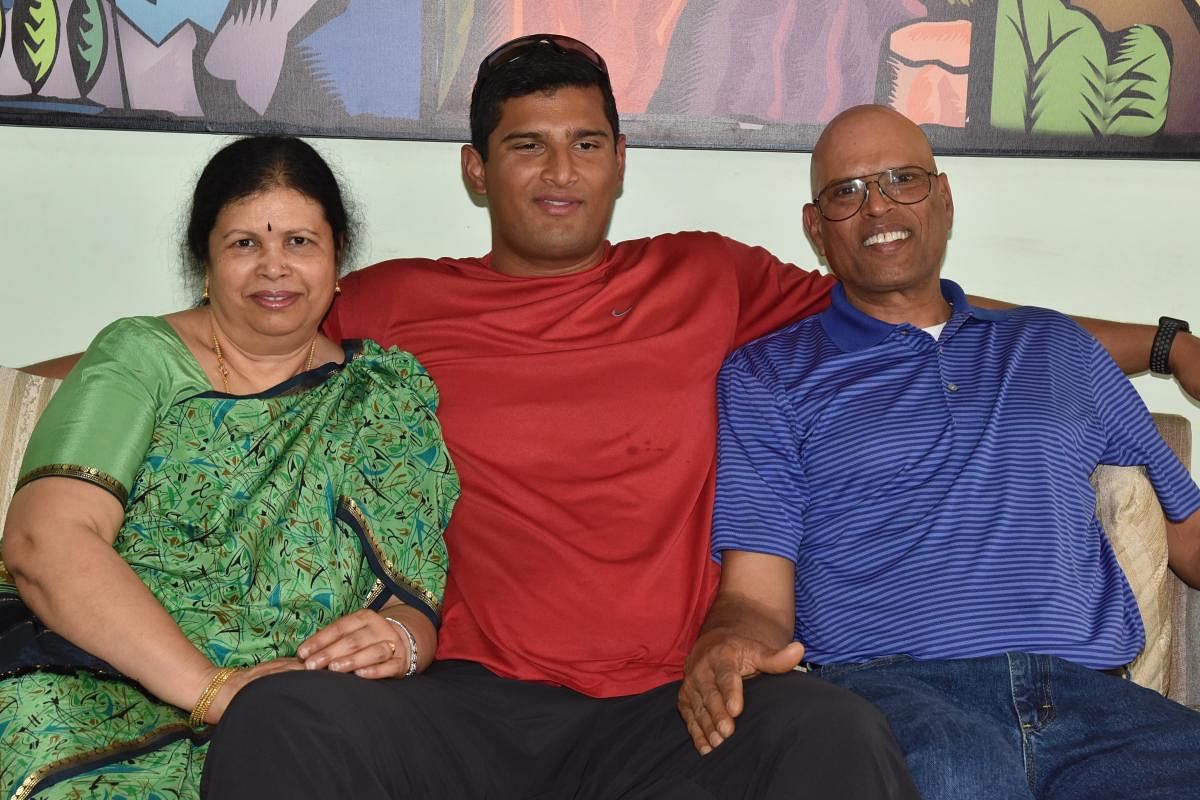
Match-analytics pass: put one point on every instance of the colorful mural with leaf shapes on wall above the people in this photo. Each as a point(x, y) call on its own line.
point(1088, 77)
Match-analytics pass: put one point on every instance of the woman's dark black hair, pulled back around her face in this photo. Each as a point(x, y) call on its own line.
point(257, 165)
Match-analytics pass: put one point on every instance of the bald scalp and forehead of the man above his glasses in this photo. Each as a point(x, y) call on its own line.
point(866, 140)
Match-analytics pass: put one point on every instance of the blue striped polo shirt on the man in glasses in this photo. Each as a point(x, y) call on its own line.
point(934, 494)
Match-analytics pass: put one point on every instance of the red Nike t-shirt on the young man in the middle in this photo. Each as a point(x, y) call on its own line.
point(580, 413)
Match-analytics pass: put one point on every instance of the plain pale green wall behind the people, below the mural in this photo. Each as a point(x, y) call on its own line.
point(89, 222)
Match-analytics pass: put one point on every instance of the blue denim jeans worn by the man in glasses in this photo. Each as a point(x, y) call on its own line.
point(1030, 726)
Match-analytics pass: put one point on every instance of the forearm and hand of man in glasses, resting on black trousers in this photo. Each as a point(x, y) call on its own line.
point(748, 633)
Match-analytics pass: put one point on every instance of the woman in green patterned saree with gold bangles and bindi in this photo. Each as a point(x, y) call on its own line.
point(215, 496)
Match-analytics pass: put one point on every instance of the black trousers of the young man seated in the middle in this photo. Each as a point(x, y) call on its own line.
point(460, 732)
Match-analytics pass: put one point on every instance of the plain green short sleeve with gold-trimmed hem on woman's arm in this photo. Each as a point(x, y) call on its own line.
point(99, 424)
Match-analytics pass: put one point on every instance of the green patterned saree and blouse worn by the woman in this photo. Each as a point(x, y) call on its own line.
point(256, 521)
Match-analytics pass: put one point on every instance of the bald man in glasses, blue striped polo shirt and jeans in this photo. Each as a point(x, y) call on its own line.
point(904, 501)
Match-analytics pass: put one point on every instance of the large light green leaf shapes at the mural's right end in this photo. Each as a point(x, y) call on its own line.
point(1058, 73)
